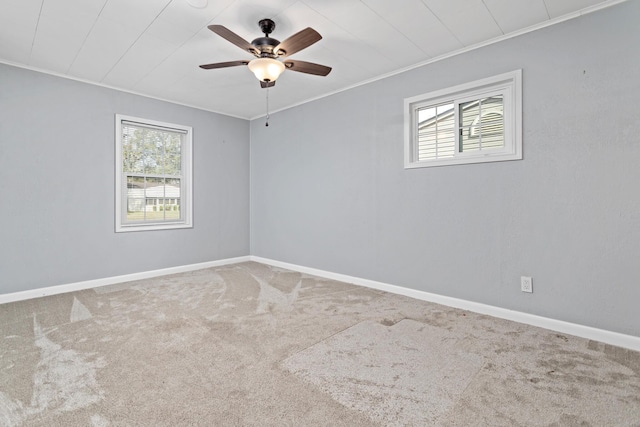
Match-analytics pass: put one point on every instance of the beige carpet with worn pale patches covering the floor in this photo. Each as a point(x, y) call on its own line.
point(253, 345)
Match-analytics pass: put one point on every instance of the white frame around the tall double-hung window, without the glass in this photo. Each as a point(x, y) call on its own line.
point(186, 195)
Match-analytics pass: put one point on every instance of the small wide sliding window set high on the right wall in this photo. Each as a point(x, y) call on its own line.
point(470, 123)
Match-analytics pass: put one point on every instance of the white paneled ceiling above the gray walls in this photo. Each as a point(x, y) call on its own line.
point(154, 47)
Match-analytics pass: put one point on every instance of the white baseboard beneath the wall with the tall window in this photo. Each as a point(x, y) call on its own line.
point(78, 286)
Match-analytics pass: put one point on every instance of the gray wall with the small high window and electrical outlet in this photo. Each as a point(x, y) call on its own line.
point(328, 188)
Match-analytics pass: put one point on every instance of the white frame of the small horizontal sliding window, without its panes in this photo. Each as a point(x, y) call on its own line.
point(509, 85)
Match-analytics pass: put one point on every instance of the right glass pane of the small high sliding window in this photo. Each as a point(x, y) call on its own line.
point(482, 124)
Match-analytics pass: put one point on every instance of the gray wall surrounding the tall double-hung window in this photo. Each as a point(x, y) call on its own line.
point(57, 184)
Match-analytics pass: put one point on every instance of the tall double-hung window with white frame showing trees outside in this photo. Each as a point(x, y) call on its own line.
point(153, 175)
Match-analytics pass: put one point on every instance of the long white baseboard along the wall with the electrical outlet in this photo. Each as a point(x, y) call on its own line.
point(614, 338)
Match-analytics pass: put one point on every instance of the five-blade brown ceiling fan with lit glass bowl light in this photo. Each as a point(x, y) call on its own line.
point(267, 67)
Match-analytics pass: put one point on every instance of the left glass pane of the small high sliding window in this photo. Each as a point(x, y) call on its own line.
point(436, 132)
